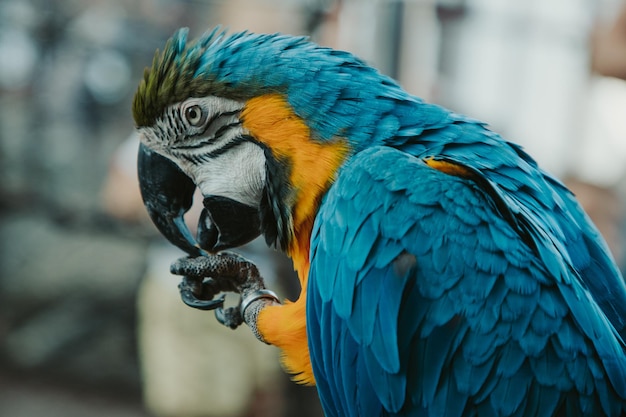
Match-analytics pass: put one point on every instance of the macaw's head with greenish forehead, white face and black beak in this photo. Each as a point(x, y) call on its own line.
point(236, 117)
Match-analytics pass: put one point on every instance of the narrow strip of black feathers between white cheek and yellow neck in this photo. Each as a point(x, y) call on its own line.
point(275, 210)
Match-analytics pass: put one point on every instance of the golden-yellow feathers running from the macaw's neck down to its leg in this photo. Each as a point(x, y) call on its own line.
point(271, 121)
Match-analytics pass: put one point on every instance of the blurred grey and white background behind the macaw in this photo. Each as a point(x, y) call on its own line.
point(90, 320)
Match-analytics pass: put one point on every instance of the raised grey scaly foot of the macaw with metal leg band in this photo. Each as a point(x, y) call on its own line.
point(206, 276)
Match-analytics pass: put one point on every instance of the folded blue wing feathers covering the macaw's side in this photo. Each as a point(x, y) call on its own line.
point(446, 296)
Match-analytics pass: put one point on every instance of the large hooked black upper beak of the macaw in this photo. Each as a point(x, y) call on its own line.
point(167, 194)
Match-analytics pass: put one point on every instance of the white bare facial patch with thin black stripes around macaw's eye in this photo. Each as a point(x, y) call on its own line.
point(213, 152)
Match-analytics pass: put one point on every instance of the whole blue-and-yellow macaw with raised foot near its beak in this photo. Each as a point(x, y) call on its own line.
point(443, 272)
